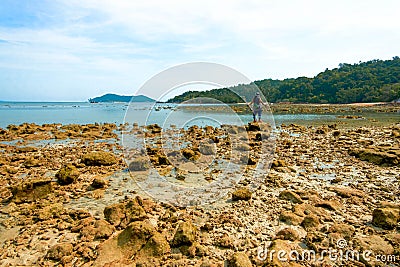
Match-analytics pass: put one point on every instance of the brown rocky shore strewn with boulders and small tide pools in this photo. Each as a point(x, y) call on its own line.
point(68, 199)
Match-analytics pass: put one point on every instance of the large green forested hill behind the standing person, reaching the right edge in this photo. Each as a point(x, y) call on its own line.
point(372, 81)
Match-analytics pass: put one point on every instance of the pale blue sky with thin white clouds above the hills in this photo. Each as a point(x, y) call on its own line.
point(72, 50)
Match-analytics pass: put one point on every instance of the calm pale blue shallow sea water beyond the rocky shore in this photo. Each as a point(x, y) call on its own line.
point(163, 114)
